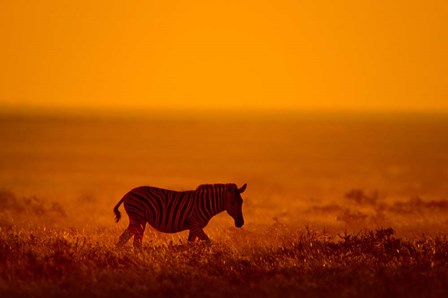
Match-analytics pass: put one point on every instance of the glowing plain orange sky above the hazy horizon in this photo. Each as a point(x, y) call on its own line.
point(310, 54)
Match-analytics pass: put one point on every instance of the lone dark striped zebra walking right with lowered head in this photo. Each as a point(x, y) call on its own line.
point(174, 211)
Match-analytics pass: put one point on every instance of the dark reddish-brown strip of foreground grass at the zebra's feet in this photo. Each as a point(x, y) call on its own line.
point(46, 262)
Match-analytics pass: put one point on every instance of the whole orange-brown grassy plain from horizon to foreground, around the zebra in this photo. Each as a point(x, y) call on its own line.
point(341, 206)
